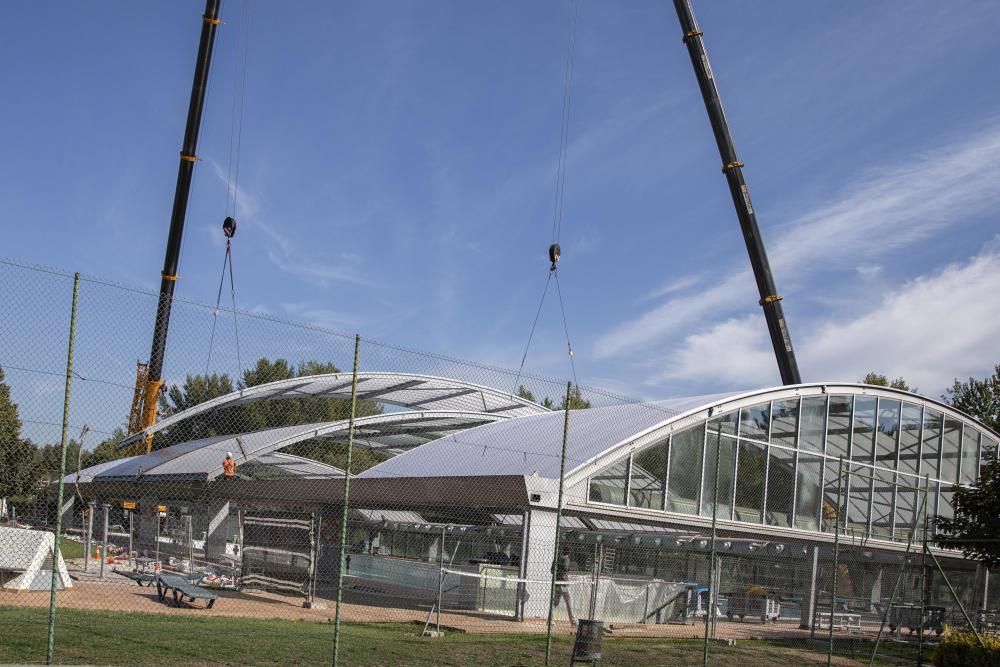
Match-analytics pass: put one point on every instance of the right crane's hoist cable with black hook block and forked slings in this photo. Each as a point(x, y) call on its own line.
point(557, 212)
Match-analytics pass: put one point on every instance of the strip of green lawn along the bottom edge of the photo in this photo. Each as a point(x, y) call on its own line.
point(91, 637)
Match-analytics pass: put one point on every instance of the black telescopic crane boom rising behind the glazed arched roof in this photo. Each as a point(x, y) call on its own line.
point(781, 340)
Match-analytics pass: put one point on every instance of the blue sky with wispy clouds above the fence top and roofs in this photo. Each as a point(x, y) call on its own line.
point(398, 162)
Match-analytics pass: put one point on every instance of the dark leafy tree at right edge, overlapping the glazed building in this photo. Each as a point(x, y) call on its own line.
point(975, 528)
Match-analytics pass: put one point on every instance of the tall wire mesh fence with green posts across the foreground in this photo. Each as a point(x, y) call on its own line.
point(419, 509)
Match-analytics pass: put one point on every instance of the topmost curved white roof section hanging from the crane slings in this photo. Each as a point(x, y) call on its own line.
point(406, 390)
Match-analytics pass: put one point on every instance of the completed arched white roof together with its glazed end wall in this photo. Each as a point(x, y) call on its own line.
point(779, 454)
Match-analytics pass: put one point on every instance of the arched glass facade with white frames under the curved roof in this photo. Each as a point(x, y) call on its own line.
point(778, 465)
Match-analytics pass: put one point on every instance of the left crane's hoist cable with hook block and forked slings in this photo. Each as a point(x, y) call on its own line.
point(233, 175)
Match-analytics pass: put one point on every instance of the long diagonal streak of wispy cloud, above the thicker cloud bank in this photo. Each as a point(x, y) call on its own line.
point(885, 210)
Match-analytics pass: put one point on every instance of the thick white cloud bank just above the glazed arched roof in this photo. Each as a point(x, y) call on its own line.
point(930, 330)
